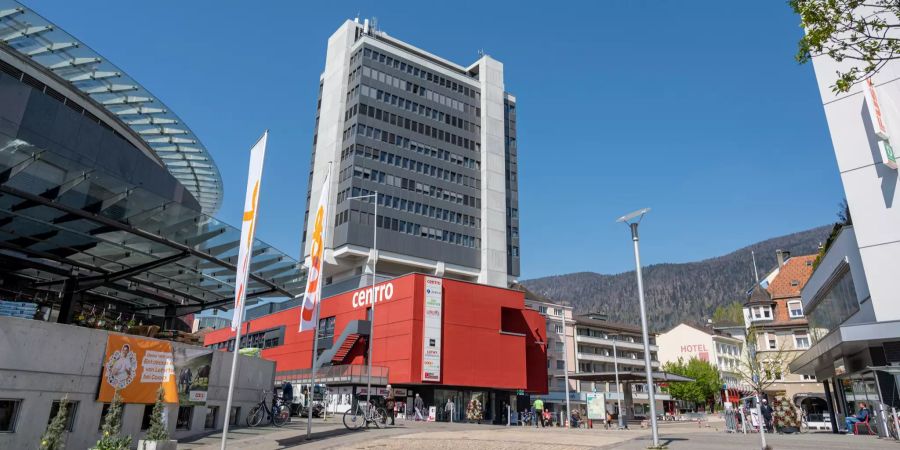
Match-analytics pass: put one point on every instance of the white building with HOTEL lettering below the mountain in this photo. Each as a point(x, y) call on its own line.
point(687, 341)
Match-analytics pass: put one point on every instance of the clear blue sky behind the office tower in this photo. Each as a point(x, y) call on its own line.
point(697, 110)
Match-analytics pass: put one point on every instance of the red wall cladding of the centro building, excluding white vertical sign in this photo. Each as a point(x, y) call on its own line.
point(474, 350)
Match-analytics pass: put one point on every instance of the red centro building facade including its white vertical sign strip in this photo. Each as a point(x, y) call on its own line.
point(476, 336)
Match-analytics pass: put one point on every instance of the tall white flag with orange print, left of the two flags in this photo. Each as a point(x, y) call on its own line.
point(248, 227)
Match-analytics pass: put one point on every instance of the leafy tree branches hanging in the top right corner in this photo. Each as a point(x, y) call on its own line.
point(857, 31)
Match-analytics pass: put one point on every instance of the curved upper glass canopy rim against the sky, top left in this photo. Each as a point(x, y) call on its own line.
point(37, 39)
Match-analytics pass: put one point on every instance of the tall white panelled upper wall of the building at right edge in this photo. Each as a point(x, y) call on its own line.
point(869, 184)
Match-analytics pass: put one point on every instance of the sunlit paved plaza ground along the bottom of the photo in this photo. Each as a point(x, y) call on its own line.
point(426, 436)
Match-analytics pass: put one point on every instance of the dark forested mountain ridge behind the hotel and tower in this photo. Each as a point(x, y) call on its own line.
point(675, 292)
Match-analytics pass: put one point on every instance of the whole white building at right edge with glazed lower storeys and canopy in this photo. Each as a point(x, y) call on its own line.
point(852, 299)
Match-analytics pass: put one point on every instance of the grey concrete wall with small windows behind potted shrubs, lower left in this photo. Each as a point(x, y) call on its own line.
point(41, 361)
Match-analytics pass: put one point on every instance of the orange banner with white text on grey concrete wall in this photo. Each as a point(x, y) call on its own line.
point(136, 367)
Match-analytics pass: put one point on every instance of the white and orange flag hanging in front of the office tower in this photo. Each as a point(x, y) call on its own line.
point(317, 260)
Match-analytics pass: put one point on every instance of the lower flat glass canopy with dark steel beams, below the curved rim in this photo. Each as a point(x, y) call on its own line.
point(62, 220)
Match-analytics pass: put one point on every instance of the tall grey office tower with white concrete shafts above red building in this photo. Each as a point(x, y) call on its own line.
point(436, 140)
